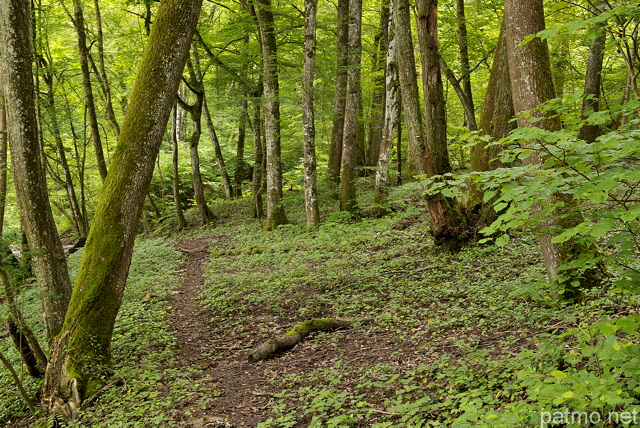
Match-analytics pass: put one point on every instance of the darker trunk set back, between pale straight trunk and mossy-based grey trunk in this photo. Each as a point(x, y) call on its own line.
point(340, 95)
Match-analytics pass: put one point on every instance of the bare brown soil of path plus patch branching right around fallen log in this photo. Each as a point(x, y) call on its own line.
point(243, 390)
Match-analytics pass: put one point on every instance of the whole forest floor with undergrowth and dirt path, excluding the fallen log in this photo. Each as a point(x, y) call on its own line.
point(455, 339)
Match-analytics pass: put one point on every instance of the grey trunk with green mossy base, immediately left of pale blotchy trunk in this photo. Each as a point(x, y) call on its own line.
point(348, 177)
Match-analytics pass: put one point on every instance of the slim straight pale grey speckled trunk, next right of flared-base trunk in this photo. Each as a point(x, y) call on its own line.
point(309, 131)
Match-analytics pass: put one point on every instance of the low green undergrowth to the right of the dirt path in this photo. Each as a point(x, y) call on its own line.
point(480, 338)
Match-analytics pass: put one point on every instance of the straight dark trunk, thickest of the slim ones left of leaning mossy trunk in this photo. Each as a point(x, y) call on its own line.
point(88, 90)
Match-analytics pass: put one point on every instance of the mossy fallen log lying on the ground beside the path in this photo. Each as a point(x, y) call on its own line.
point(299, 332)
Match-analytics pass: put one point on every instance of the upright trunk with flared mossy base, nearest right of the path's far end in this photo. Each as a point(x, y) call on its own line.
point(275, 211)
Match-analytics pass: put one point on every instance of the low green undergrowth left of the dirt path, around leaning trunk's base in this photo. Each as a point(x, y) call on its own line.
point(153, 383)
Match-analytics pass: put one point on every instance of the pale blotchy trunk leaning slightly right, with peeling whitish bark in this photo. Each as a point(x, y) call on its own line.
point(390, 118)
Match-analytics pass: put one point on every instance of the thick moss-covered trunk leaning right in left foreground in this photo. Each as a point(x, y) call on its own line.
point(81, 354)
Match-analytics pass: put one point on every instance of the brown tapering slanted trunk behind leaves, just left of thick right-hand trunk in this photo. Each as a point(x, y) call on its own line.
point(495, 121)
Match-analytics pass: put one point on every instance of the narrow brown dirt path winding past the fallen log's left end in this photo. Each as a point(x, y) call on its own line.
point(218, 362)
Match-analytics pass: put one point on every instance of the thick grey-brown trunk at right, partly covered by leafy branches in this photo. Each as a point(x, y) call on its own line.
point(532, 85)
